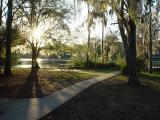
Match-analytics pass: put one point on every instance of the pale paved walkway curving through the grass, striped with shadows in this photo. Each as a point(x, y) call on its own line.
point(35, 108)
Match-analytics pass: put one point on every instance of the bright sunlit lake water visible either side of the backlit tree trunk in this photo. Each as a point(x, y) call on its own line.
point(43, 63)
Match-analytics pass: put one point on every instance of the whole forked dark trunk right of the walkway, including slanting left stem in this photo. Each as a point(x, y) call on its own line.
point(129, 43)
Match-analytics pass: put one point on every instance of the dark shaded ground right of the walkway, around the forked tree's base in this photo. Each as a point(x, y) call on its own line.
point(112, 99)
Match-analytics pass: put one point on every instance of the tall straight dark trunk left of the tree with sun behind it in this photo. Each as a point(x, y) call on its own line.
point(7, 69)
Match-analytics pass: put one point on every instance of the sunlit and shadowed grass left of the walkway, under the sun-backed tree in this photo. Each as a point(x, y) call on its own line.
point(25, 85)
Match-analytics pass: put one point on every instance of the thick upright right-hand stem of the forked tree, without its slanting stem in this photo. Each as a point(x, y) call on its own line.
point(133, 77)
